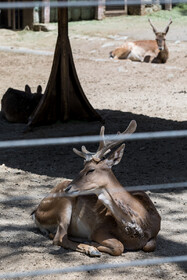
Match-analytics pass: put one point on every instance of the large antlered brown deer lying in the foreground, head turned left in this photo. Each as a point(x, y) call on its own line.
point(96, 207)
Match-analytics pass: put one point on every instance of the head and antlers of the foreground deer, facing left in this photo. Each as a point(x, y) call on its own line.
point(97, 167)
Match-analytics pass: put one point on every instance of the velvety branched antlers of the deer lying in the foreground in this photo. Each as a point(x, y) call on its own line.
point(105, 146)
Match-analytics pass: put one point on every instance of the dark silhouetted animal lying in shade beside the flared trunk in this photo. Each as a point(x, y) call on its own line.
point(17, 105)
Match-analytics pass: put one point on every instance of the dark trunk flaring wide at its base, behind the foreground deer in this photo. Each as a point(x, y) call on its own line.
point(64, 98)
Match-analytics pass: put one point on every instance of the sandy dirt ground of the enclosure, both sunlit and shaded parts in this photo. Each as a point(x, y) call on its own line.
point(153, 95)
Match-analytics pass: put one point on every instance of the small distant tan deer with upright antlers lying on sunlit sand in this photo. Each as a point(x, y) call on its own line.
point(154, 51)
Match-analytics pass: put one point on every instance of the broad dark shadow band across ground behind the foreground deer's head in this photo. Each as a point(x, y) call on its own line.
point(144, 162)
